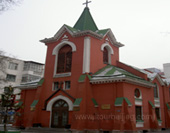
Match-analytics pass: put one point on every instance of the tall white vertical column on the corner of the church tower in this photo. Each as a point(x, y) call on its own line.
point(86, 55)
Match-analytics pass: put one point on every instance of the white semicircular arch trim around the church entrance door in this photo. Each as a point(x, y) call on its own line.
point(52, 101)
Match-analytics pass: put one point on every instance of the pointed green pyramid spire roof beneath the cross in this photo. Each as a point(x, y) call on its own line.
point(86, 22)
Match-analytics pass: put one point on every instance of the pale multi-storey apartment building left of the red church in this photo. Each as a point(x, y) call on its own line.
point(14, 71)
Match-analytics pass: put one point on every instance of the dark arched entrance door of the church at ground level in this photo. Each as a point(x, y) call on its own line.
point(59, 114)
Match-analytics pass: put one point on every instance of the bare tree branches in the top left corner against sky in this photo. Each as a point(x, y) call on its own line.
point(7, 4)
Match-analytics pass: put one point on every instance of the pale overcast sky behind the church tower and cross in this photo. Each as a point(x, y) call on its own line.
point(143, 26)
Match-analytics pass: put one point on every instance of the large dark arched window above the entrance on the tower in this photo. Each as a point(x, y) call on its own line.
point(64, 59)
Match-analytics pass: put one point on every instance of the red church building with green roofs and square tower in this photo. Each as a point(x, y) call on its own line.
point(86, 87)
